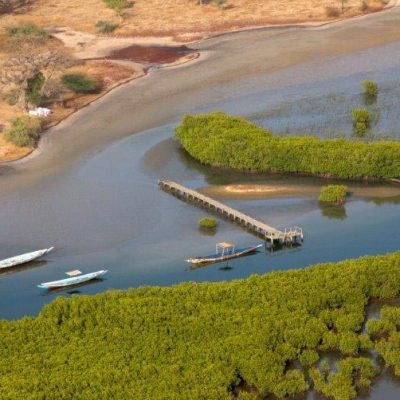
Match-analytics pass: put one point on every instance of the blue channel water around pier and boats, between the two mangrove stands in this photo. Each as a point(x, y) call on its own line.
point(109, 213)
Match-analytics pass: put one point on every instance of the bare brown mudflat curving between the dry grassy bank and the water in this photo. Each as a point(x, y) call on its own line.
point(165, 94)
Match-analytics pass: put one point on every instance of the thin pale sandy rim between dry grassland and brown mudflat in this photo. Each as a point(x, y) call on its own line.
point(197, 55)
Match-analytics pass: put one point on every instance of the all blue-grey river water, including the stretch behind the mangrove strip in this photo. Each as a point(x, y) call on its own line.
point(107, 211)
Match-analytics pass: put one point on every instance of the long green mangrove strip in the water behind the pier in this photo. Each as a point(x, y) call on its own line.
point(218, 139)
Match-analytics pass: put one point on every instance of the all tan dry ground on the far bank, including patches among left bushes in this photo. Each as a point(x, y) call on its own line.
point(183, 20)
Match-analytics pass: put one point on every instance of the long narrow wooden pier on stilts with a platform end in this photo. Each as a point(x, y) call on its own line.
point(259, 228)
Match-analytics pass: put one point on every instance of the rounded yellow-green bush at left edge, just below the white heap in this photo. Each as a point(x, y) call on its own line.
point(24, 131)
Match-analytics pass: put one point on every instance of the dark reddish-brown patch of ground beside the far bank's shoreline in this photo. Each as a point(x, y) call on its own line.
point(151, 54)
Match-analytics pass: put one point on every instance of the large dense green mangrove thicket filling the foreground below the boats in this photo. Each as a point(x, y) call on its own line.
point(208, 340)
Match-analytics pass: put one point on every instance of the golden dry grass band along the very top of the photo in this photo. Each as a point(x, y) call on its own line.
point(182, 17)
